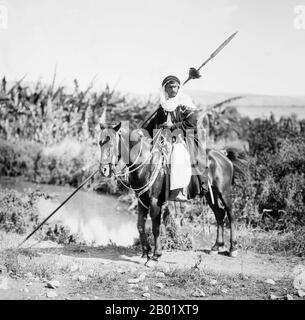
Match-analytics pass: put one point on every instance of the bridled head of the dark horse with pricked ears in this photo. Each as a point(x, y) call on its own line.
point(109, 146)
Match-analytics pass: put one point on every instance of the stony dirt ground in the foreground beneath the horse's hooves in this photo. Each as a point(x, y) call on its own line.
point(105, 273)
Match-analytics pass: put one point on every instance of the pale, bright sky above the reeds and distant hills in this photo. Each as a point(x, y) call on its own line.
point(134, 44)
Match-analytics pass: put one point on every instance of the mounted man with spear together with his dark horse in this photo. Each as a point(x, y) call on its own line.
point(175, 113)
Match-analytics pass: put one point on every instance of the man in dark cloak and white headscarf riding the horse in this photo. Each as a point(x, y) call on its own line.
point(176, 115)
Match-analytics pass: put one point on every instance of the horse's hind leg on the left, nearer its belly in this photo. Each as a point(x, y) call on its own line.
point(219, 215)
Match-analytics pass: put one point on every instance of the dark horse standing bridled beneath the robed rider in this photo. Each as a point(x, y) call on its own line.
point(147, 176)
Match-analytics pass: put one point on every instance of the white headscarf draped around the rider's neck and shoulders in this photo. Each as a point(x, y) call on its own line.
point(170, 104)
